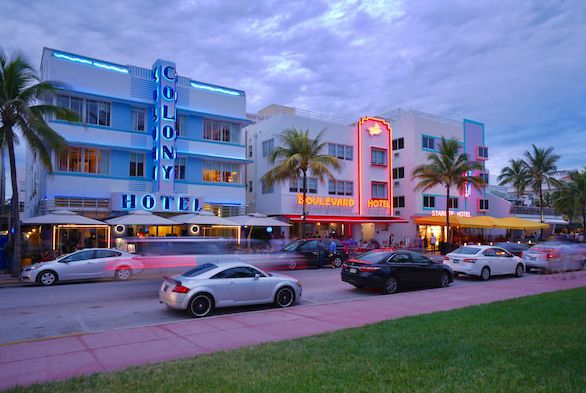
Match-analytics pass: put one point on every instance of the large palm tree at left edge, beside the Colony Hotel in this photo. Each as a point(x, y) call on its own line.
point(22, 114)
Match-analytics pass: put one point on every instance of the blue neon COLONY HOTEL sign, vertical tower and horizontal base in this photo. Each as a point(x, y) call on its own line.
point(163, 153)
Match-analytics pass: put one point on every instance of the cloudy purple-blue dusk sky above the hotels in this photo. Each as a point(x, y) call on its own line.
point(518, 66)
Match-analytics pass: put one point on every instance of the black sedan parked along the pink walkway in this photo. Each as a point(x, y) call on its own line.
point(392, 270)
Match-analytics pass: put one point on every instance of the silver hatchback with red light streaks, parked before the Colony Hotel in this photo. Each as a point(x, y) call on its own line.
point(88, 263)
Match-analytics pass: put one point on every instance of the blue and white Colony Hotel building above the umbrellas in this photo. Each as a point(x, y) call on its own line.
point(148, 139)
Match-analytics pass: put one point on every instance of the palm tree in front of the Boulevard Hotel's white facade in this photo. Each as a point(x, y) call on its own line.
point(296, 158)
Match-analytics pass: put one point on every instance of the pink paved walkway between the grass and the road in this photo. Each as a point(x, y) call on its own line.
point(65, 357)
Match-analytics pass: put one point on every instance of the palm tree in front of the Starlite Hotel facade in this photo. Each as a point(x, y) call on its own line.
point(448, 168)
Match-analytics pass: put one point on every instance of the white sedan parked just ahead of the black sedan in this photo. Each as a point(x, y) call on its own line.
point(484, 262)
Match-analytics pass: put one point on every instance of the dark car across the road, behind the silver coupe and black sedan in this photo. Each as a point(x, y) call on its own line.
point(307, 252)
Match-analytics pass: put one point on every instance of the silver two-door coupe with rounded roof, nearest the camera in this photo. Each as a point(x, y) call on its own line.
point(209, 286)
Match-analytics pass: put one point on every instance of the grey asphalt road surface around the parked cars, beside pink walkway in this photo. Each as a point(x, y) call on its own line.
point(29, 312)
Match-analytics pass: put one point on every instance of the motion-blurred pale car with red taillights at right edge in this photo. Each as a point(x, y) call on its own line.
point(551, 257)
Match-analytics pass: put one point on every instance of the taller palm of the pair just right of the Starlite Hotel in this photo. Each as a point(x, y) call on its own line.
point(541, 165)
